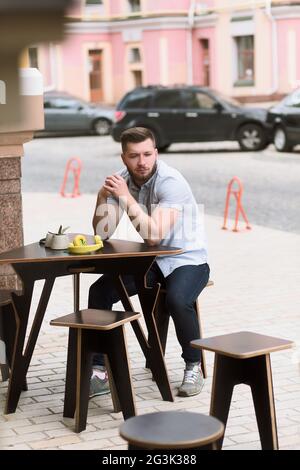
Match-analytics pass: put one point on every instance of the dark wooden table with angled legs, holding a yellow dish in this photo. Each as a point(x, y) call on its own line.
point(34, 262)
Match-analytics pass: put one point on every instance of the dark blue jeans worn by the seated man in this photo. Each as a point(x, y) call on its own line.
point(183, 286)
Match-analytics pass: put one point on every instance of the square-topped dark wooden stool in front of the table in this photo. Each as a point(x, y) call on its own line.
point(93, 331)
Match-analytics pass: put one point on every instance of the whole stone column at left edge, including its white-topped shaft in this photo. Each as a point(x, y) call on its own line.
point(12, 139)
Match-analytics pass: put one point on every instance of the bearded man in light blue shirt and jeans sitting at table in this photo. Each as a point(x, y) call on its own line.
point(162, 208)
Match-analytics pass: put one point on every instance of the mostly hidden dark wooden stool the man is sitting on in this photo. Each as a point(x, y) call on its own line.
point(162, 318)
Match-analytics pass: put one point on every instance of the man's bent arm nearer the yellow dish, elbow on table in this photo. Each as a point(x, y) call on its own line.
point(106, 216)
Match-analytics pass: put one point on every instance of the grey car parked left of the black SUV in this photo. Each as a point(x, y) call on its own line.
point(65, 113)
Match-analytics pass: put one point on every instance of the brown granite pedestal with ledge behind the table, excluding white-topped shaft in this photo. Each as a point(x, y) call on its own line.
point(11, 225)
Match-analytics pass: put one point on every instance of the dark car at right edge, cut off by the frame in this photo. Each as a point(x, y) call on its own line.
point(285, 121)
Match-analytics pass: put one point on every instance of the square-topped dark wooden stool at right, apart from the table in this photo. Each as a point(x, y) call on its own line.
point(244, 357)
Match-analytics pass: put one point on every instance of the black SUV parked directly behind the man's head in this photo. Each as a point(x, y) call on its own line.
point(191, 114)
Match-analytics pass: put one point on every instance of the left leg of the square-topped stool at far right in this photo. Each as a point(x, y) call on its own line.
point(226, 376)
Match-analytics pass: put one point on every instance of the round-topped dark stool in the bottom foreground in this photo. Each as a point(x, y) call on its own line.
point(172, 430)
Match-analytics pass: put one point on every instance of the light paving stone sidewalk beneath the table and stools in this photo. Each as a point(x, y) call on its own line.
point(257, 279)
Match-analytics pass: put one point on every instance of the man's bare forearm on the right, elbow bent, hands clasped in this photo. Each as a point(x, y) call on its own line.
point(151, 228)
